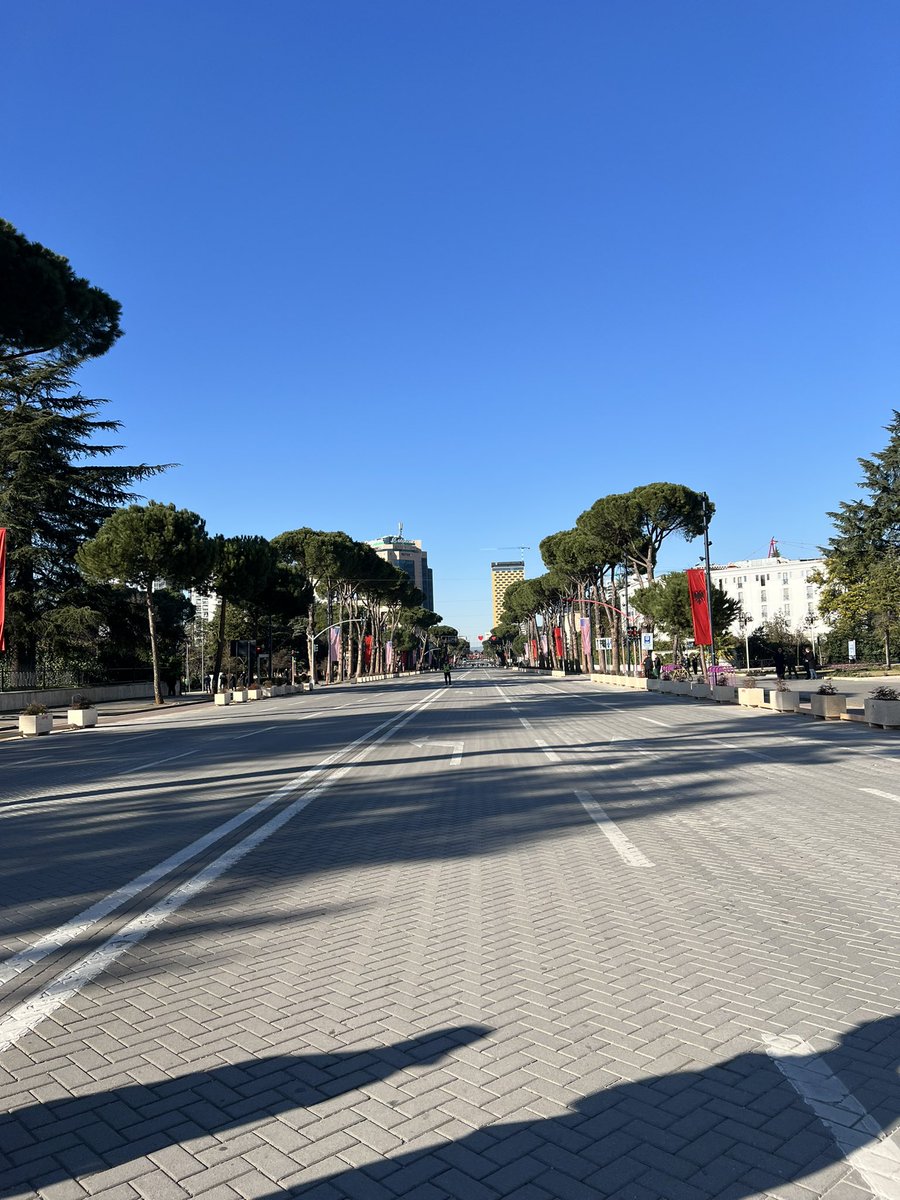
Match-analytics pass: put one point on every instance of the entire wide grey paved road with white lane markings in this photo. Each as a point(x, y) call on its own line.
point(517, 938)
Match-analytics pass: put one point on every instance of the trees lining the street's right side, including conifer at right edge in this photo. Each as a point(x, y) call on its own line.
point(617, 542)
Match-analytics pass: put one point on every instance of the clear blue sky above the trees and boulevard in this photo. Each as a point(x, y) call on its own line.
point(472, 266)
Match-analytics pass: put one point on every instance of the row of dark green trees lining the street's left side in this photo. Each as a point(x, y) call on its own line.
point(95, 583)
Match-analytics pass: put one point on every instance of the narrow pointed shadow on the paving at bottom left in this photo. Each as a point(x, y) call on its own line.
point(45, 1144)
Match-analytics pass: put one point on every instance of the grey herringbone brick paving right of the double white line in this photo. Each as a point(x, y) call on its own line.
point(449, 986)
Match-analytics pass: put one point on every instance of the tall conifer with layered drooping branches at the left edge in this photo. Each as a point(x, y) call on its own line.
point(56, 493)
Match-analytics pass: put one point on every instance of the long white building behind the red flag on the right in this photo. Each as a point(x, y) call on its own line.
point(773, 587)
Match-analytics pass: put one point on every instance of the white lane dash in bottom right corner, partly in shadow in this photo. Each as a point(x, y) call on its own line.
point(859, 1136)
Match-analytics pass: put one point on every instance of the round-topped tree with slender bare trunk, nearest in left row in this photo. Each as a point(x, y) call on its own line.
point(143, 545)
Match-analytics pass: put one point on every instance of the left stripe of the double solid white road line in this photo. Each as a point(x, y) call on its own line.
point(80, 925)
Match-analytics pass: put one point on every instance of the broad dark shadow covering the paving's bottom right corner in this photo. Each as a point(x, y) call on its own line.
point(733, 1131)
